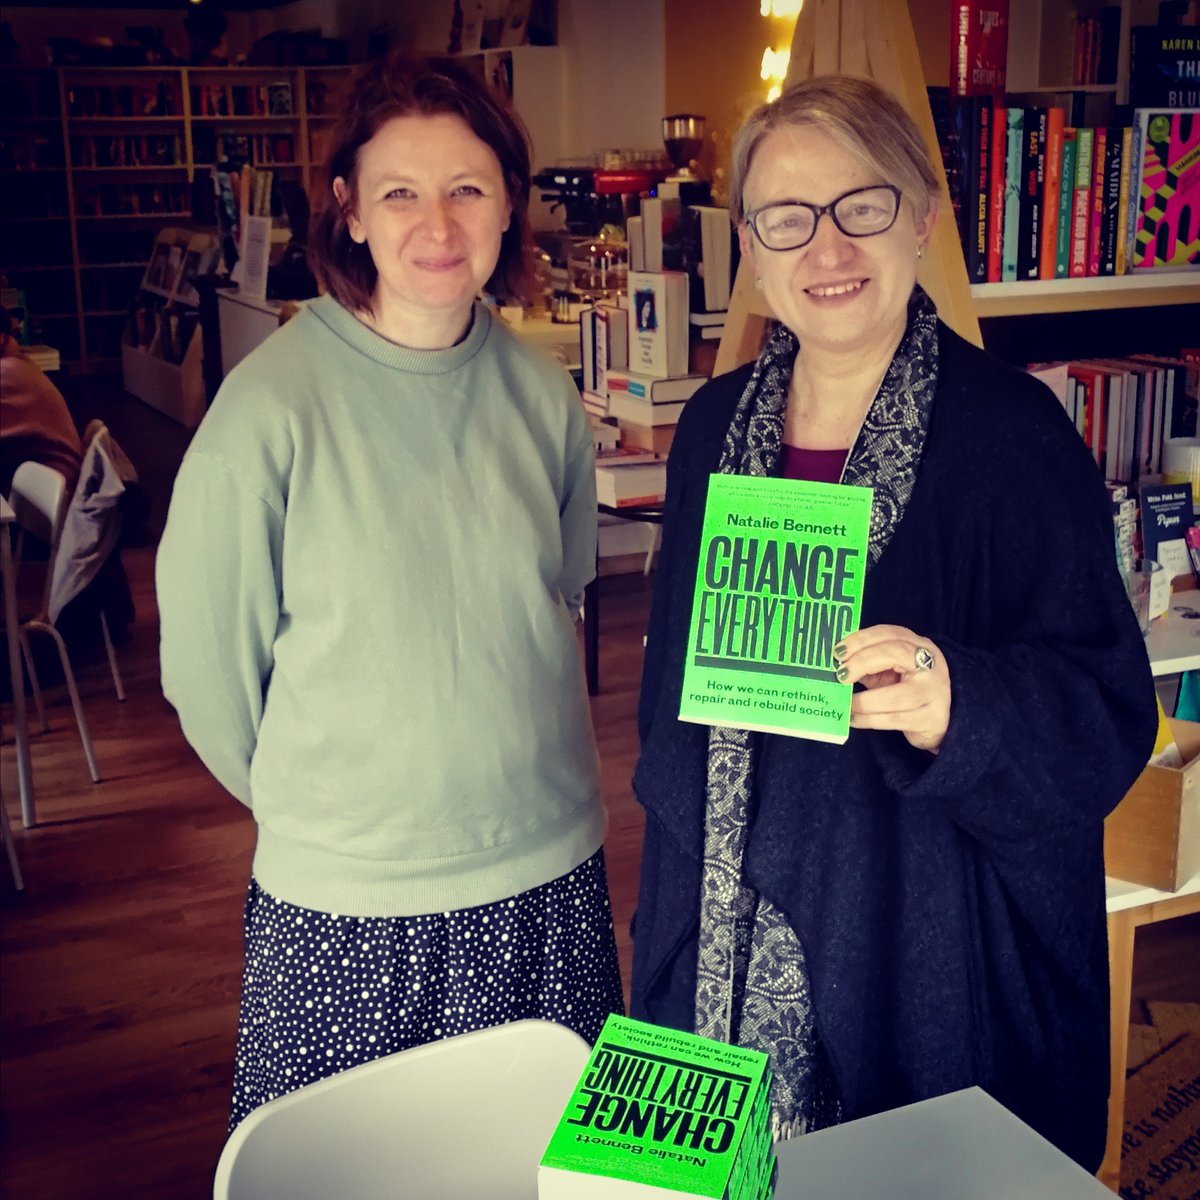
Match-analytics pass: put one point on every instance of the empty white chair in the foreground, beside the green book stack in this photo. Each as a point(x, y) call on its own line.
point(469, 1117)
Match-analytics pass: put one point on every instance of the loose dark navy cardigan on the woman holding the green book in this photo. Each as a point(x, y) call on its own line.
point(951, 908)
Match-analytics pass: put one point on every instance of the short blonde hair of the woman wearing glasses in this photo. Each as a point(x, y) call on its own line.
point(861, 117)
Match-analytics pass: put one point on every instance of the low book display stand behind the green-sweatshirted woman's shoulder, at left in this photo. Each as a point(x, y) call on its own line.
point(161, 350)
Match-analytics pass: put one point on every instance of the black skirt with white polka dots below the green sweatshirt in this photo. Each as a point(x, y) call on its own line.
point(322, 993)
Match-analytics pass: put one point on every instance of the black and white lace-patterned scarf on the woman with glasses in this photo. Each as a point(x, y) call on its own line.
point(752, 979)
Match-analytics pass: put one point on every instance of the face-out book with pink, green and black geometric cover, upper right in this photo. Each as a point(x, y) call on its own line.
point(1166, 231)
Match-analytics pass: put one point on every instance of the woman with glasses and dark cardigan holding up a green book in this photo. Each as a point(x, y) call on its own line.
point(922, 909)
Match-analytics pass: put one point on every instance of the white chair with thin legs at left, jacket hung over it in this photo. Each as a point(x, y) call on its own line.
point(39, 500)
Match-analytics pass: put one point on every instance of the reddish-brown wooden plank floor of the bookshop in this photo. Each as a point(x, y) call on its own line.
point(122, 961)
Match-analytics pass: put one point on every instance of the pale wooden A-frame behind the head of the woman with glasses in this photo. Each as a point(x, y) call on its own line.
point(873, 39)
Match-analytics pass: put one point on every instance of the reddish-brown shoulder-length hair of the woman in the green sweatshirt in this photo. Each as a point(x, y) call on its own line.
point(397, 86)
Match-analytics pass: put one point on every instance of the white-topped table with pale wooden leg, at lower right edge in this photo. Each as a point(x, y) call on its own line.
point(1131, 905)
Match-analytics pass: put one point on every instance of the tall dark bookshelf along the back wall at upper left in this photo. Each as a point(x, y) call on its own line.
point(97, 161)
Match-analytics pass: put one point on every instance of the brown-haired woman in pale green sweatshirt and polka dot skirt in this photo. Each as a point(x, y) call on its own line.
point(369, 583)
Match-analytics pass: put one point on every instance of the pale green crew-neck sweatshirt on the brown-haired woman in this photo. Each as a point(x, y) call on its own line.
point(368, 585)
